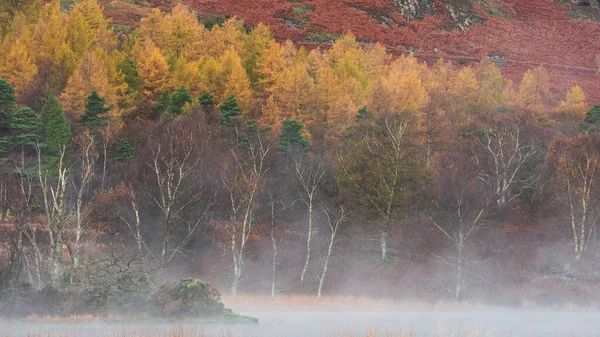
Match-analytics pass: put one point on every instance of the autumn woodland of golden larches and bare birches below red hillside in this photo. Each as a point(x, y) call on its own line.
point(208, 148)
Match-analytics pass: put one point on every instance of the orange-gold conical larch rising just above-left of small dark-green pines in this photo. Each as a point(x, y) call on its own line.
point(154, 71)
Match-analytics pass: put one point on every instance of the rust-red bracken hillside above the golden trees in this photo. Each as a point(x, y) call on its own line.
point(520, 34)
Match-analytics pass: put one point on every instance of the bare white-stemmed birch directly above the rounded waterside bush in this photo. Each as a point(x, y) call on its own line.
point(178, 169)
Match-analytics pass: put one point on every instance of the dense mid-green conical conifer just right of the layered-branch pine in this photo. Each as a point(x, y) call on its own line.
point(56, 128)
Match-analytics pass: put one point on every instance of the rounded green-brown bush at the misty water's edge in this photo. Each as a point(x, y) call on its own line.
point(190, 297)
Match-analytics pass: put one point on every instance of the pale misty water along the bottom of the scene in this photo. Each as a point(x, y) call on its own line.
point(299, 323)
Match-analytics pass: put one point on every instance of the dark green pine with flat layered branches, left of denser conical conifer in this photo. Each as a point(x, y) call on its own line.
point(25, 127)
